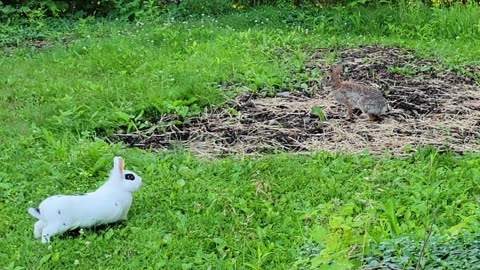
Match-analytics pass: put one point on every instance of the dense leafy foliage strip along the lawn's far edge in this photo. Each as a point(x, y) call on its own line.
point(79, 8)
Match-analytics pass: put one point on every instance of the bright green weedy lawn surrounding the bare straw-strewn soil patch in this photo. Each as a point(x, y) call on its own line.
point(60, 102)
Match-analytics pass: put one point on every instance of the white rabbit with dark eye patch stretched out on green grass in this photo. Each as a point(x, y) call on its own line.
point(109, 203)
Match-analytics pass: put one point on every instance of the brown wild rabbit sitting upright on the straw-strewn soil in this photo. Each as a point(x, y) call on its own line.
point(356, 95)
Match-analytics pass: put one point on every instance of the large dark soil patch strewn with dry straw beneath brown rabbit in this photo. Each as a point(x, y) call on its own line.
point(429, 106)
